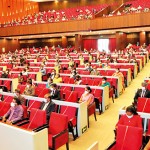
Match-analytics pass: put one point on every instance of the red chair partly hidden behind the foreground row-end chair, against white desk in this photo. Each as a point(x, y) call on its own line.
point(71, 112)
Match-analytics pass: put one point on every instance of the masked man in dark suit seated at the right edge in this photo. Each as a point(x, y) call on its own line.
point(142, 92)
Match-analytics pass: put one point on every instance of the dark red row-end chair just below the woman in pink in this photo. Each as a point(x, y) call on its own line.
point(91, 110)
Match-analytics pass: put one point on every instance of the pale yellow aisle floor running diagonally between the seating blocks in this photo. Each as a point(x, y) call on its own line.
point(102, 130)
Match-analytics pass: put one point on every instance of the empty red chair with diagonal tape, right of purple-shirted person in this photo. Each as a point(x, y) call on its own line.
point(36, 120)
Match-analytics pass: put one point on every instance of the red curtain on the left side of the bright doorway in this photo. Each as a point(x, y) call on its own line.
point(90, 43)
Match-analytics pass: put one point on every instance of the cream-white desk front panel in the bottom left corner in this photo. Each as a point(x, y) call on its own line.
point(15, 138)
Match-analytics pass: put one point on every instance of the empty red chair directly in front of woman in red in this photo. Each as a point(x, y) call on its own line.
point(128, 138)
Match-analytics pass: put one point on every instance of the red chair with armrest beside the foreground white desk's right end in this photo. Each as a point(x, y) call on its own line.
point(58, 131)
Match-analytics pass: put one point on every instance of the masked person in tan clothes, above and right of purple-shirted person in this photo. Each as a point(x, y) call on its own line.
point(30, 89)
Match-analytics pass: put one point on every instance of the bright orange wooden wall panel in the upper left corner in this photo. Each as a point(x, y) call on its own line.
point(16, 9)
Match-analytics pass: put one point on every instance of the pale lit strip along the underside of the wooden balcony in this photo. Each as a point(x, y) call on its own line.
point(69, 34)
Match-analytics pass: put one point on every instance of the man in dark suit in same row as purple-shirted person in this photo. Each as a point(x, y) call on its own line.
point(48, 106)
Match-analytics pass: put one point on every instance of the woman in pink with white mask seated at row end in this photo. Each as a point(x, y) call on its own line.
point(87, 96)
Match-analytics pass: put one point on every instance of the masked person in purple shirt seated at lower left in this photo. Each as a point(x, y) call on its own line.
point(15, 112)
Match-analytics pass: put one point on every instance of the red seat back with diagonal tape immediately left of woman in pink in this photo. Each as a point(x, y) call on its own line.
point(71, 96)
